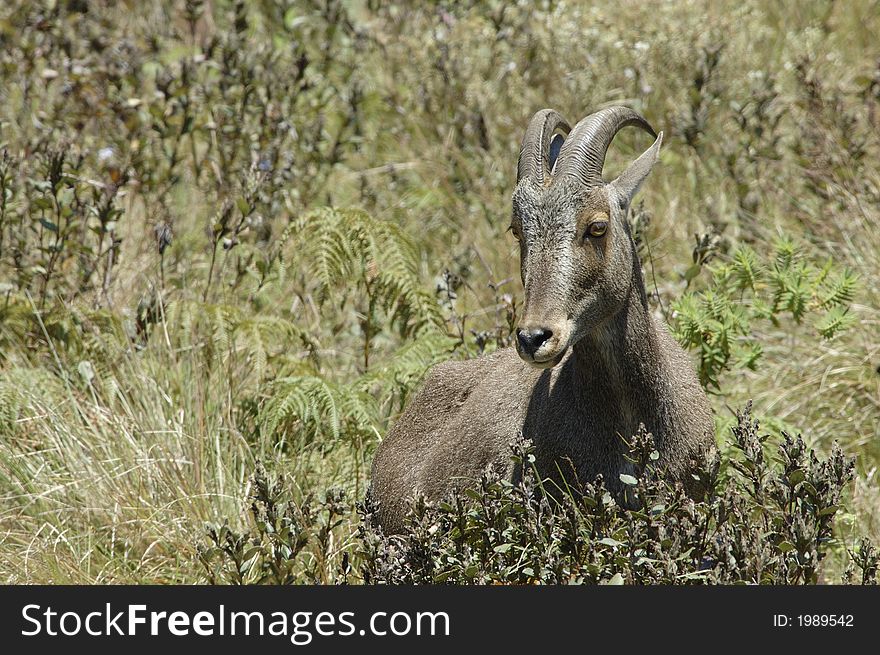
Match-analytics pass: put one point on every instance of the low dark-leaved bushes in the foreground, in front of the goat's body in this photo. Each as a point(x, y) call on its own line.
point(766, 518)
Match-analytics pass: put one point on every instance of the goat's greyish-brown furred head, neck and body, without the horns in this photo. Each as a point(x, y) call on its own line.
point(607, 368)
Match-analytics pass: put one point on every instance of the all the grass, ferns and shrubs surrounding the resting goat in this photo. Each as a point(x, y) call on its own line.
point(234, 234)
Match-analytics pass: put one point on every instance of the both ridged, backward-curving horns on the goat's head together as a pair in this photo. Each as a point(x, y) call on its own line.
point(550, 149)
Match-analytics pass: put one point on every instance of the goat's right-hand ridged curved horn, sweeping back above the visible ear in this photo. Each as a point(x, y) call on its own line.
point(583, 153)
